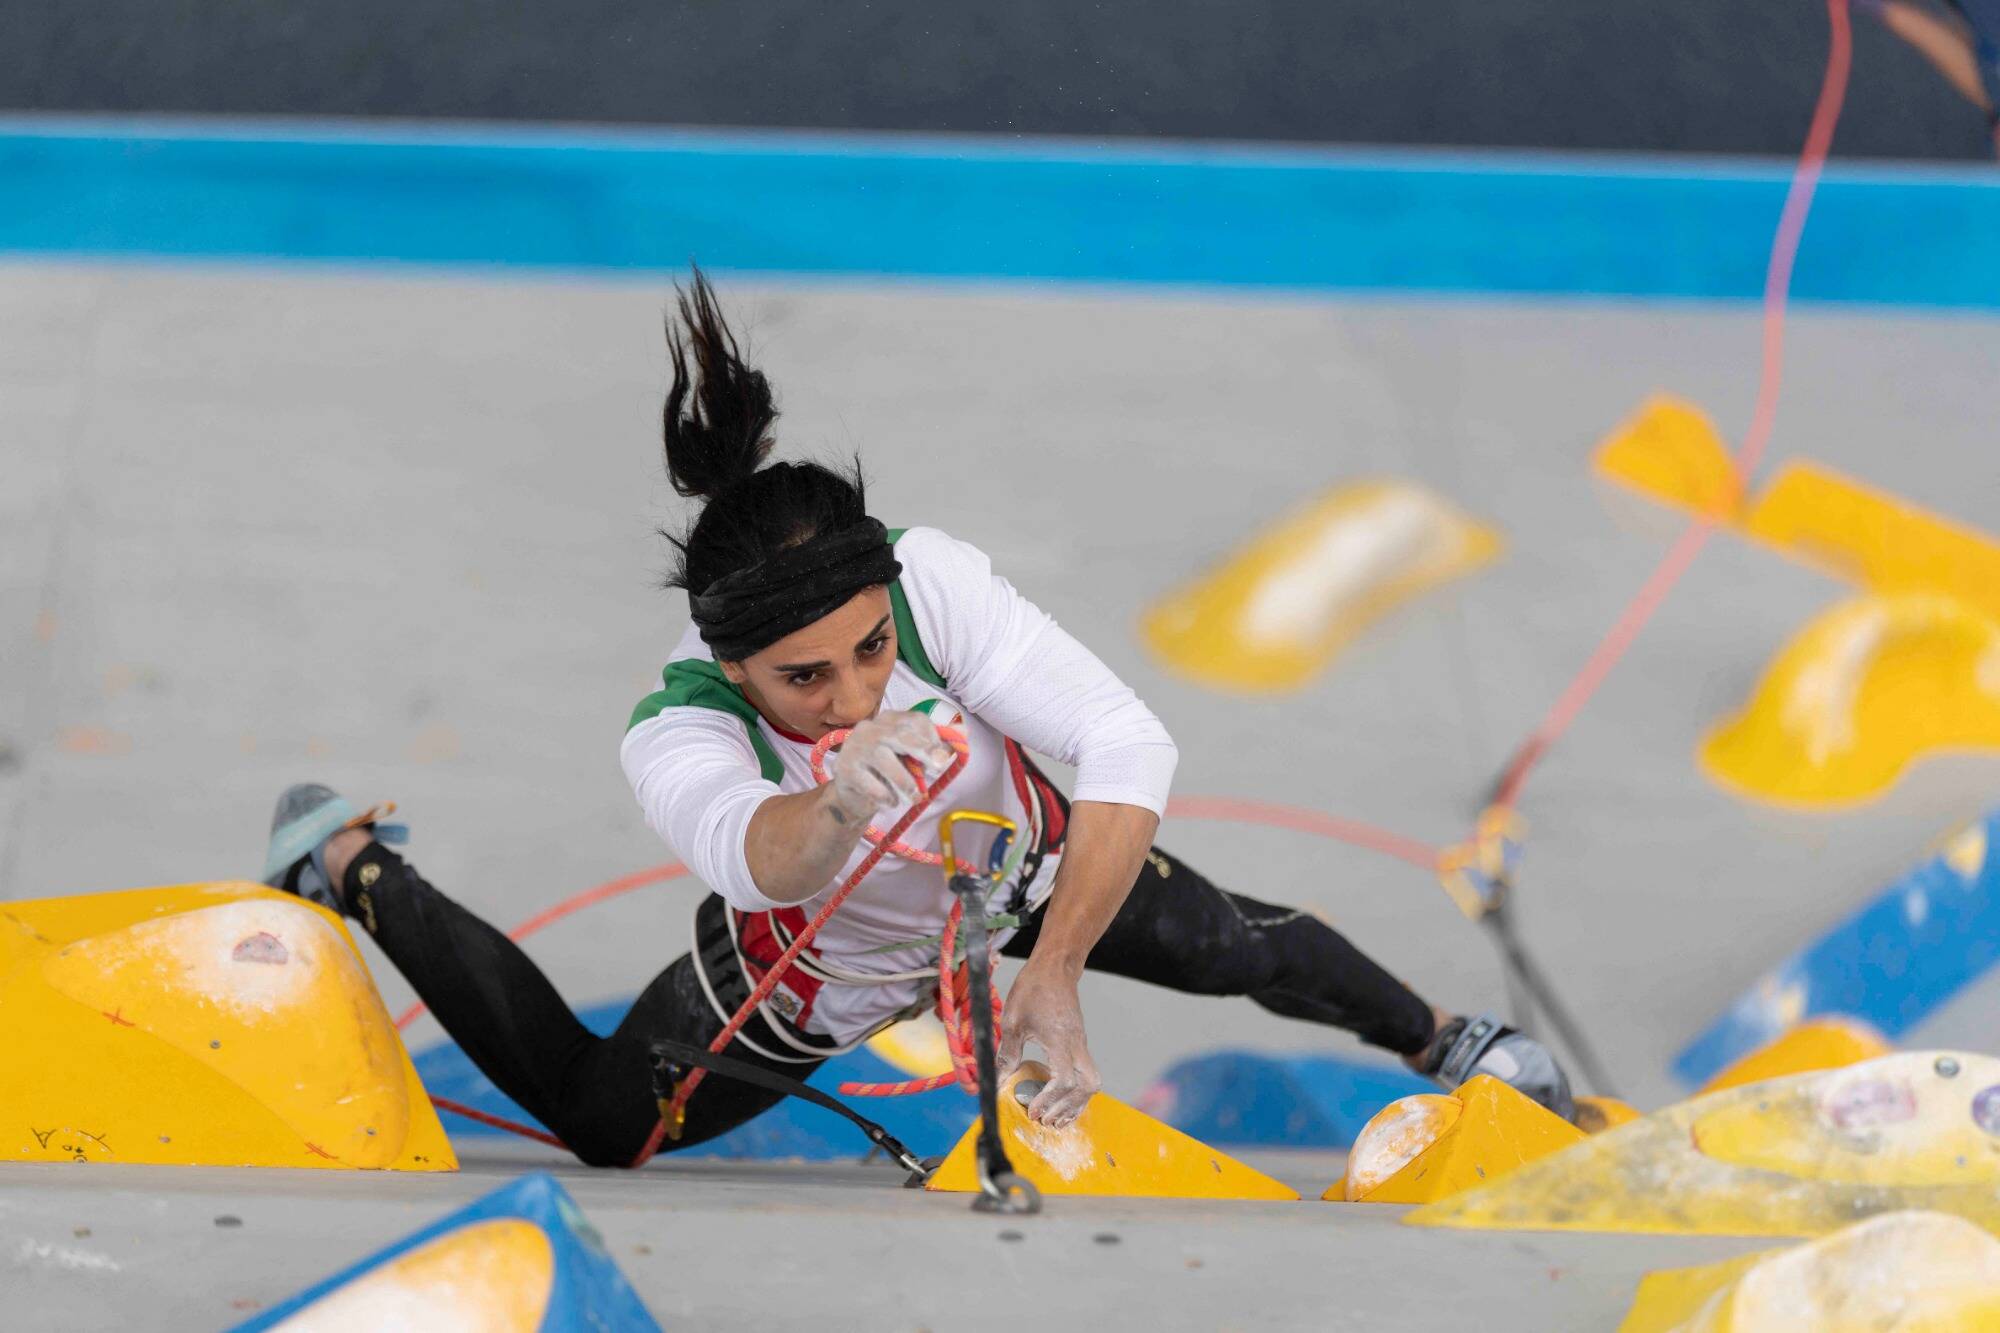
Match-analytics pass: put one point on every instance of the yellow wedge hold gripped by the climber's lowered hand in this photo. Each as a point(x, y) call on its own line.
point(1111, 1150)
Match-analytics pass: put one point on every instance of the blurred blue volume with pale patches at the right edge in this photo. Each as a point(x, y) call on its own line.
point(1893, 964)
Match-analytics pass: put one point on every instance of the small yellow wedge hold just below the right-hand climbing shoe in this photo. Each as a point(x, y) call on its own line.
point(1495, 1134)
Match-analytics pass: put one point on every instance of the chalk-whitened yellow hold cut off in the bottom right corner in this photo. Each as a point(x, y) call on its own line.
point(1901, 1272)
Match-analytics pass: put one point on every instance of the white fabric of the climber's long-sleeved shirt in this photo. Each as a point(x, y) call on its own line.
point(1009, 670)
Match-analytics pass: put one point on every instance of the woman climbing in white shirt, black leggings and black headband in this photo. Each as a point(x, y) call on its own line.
point(811, 619)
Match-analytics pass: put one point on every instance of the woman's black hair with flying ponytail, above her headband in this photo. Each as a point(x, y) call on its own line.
point(717, 429)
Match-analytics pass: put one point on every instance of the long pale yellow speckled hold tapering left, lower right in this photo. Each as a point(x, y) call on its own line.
point(1797, 1156)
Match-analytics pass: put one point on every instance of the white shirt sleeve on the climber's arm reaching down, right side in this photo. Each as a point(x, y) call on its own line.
point(1009, 661)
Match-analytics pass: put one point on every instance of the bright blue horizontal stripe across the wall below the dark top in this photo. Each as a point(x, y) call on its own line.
point(987, 209)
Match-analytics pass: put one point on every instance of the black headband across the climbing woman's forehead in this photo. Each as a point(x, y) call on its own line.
point(789, 589)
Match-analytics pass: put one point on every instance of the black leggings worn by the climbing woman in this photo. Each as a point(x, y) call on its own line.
point(597, 1096)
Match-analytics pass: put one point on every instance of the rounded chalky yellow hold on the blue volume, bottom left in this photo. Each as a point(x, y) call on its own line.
point(493, 1276)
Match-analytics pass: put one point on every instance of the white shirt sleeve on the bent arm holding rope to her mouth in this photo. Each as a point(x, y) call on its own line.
point(699, 784)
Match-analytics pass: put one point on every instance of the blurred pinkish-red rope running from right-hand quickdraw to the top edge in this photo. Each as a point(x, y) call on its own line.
point(1777, 295)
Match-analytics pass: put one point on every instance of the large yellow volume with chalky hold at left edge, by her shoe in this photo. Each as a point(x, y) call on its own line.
point(201, 1026)
